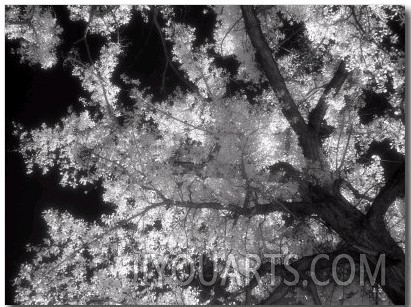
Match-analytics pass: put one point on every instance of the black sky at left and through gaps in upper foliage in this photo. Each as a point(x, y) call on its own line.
point(34, 96)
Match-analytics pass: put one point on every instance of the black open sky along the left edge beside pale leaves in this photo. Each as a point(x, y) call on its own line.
point(34, 96)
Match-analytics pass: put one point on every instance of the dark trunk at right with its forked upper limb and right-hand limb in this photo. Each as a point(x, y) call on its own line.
point(366, 234)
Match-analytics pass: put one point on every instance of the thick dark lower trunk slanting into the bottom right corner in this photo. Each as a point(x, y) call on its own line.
point(372, 240)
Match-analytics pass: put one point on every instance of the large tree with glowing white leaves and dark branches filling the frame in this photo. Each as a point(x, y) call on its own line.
point(275, 153)
